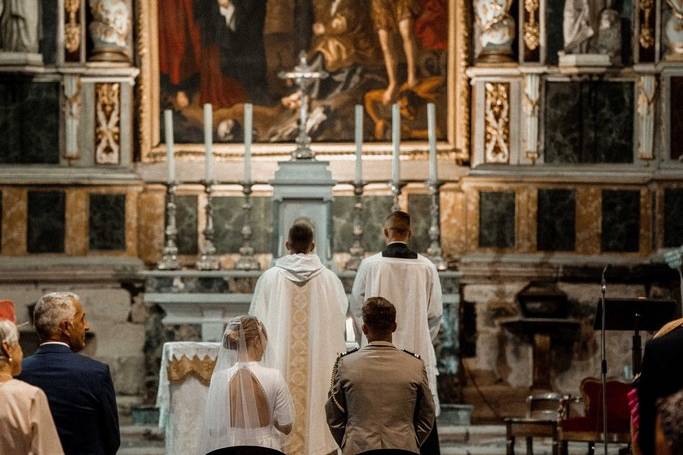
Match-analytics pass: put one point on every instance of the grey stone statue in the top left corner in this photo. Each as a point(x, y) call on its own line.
point(20, 26)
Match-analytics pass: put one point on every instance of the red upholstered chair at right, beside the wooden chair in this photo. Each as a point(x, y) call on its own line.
point(588, 428)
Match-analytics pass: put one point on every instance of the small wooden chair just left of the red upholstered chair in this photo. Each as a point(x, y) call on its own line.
point(544, 412)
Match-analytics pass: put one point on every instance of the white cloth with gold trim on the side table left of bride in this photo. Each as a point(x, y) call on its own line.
point(181, 399)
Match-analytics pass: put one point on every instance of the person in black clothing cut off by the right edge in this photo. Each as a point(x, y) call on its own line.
point(661, 376)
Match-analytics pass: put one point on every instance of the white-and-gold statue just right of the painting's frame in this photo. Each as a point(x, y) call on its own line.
point(496, 29)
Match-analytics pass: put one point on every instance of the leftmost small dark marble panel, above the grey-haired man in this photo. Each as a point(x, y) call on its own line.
point(45, 232)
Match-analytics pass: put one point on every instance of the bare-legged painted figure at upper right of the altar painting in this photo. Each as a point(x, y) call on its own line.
point(389, 17)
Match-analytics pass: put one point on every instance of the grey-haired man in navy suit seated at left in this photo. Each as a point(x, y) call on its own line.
point(79, 389)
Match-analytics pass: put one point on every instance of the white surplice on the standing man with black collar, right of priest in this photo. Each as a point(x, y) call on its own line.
point(413, 286)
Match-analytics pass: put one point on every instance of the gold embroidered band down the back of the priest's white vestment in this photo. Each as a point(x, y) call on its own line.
point(297, 370)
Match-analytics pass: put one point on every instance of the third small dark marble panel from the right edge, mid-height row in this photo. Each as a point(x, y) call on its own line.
point(556, 223)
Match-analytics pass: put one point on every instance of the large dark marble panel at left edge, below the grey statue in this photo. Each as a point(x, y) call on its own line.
point(24, 140)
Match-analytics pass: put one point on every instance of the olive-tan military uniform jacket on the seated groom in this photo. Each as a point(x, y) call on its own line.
point(380, 399)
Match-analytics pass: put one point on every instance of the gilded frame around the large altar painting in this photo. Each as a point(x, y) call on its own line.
point(148, 86)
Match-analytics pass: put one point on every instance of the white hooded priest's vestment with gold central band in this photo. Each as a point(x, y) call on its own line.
point(303, 307)
